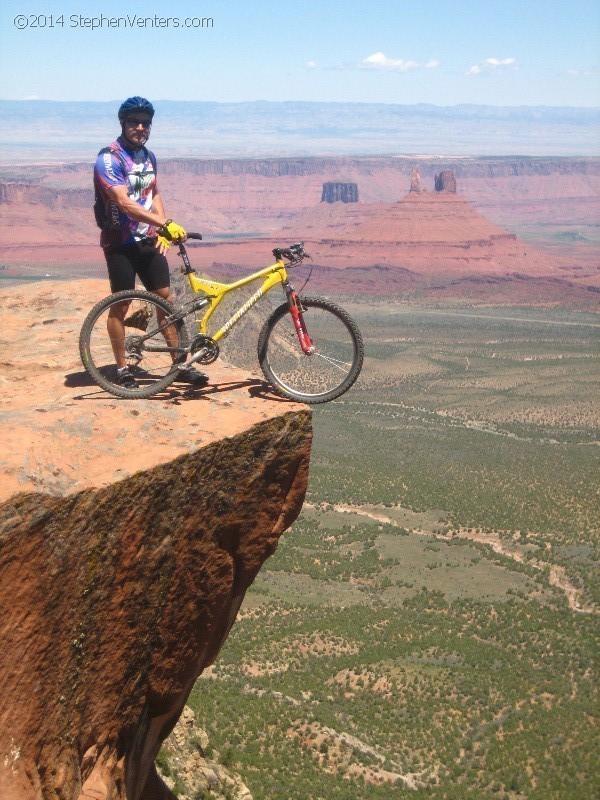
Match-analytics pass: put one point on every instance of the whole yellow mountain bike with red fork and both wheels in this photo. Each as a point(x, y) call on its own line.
point(309, 349)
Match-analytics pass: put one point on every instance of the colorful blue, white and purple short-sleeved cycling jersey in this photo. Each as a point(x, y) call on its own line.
point(135, 169)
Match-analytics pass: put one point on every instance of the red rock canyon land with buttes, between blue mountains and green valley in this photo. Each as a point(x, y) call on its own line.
point(511, 221)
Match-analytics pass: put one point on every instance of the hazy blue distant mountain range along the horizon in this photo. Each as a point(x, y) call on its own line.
point(38, 130)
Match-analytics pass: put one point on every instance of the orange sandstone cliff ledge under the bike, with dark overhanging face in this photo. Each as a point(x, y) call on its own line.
point(129, 533)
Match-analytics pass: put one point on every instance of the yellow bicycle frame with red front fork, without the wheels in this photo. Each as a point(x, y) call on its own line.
point(215, 292)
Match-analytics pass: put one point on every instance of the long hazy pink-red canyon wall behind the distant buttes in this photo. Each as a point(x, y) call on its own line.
point(263, 195)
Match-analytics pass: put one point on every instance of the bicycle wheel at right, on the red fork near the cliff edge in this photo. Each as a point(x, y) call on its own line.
point(319, 376)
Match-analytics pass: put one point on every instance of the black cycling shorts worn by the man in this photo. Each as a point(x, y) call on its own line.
point(126, 261)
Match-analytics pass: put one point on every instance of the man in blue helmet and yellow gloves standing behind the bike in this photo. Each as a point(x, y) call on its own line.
point(136, 233)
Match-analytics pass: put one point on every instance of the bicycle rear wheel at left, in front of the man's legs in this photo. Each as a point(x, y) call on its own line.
point(149, 339)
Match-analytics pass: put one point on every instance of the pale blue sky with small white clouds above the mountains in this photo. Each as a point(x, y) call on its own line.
point(443, 52)
